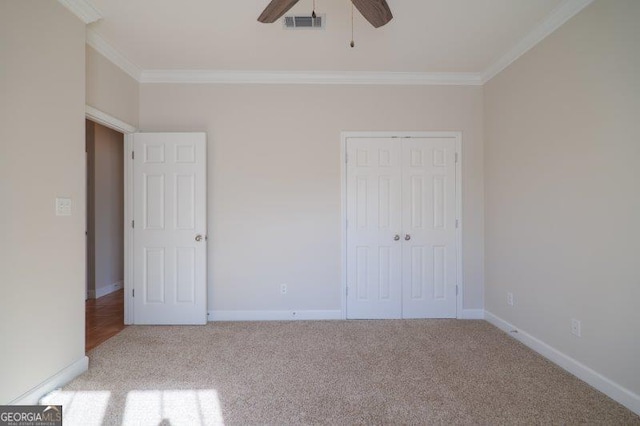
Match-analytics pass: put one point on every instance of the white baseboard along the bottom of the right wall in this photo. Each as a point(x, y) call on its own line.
point(608, 387)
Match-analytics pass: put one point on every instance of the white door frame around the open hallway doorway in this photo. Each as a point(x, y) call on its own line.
point(111, 122)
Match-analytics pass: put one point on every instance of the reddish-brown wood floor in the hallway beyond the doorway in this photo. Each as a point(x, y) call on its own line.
point(104, 318)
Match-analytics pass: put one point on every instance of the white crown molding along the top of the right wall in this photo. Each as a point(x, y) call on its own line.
point(561, 14)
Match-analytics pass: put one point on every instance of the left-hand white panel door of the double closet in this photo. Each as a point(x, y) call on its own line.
point(374, 246)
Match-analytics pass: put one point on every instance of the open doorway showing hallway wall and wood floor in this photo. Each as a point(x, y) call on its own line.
point(104, 307)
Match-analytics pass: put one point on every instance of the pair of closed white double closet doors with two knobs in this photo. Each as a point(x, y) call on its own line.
point(401, 227)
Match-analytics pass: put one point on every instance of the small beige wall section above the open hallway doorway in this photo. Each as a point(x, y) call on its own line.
point(111, 90)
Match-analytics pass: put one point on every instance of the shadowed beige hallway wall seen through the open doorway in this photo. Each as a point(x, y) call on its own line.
point(106, 207)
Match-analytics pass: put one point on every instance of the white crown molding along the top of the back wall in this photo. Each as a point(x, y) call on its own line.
point(309, 77)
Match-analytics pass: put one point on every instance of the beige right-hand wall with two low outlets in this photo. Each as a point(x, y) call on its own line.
point(563, 190)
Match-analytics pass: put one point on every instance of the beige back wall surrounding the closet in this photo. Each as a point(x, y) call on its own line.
point(274, 179)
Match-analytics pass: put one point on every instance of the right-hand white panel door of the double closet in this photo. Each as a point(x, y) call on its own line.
point(428, 223)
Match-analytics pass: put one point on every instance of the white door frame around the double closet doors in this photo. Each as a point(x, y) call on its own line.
point(343, 199)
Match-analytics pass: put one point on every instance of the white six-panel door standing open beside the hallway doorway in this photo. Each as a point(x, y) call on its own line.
point(170, 250)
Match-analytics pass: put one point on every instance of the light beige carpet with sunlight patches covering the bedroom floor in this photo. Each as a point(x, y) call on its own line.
point(332, 372)
